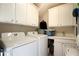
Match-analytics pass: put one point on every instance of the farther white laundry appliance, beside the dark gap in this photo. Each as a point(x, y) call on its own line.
point(42, 43)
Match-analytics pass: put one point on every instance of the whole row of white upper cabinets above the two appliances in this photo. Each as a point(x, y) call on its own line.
point(25, 14)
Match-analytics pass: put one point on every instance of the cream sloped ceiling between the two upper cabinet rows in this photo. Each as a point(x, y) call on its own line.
point(43, 7)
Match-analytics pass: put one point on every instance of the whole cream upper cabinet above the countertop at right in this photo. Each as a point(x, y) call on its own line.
point(61, 16)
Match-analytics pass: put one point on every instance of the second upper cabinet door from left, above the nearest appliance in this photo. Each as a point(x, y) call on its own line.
point(21, 13)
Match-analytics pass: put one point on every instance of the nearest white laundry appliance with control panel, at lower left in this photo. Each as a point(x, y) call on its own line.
point(17, 44)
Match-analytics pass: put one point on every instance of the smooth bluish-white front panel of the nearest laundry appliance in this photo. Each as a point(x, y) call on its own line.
point(26, 50)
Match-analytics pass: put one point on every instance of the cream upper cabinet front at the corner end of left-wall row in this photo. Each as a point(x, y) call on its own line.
point(32, 15)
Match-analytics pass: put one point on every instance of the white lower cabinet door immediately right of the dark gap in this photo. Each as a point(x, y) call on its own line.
point(58, 49)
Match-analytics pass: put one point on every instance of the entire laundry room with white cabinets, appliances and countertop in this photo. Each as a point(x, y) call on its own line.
point(39, 29)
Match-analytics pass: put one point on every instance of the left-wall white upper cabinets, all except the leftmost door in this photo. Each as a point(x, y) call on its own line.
point(26, 14)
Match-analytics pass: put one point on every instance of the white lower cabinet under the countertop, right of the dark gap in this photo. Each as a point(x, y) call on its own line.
point(60, 44)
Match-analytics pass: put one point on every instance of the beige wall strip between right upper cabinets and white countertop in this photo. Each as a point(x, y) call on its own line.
point(65, 31)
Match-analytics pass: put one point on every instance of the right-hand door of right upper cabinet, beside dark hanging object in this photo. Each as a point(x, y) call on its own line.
point(68, 18)
